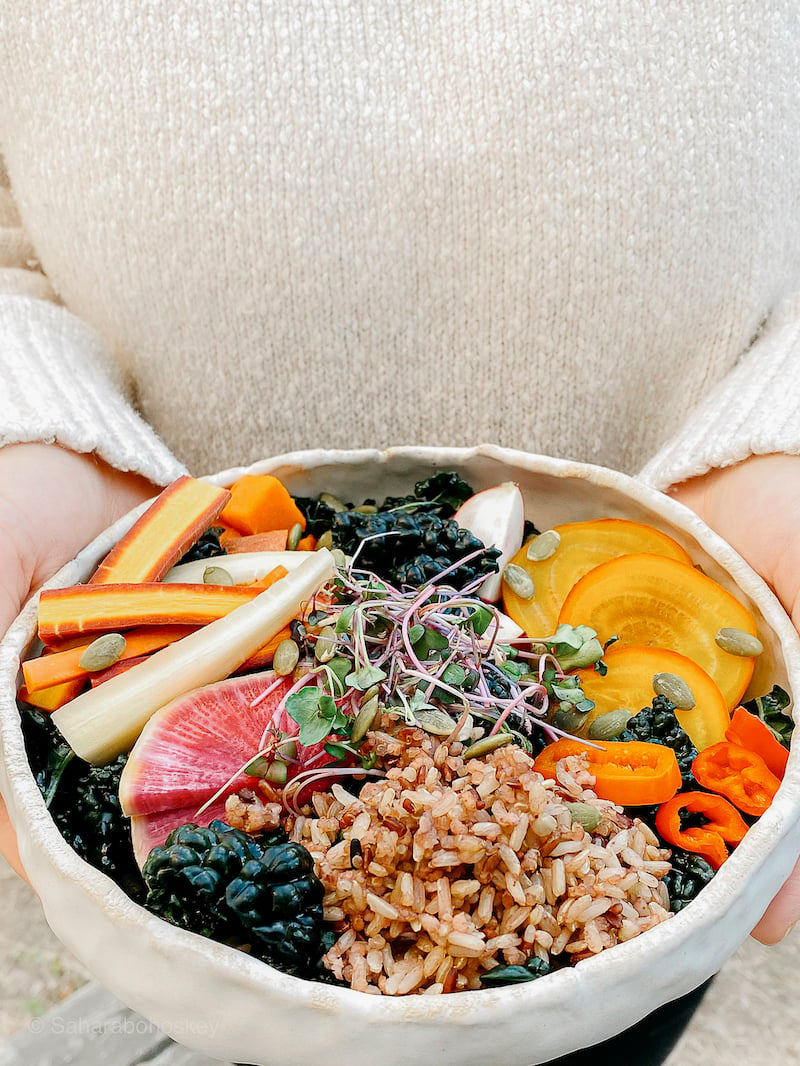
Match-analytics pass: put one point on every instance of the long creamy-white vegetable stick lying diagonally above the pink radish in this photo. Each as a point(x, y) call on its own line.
point(105, 722)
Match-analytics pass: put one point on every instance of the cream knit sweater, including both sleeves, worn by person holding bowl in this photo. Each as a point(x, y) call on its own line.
point(567, 228)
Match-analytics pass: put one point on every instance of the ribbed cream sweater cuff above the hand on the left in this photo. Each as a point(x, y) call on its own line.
point(58, 389)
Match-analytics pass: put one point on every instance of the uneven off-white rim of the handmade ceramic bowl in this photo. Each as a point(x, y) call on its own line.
point(724, 895)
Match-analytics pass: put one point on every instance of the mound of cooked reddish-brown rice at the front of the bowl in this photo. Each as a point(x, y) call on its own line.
point(468, 866)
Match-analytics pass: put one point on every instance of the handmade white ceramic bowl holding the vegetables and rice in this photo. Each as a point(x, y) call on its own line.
point(223, 1004)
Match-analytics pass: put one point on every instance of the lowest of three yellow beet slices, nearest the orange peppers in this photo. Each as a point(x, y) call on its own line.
point(629, 685)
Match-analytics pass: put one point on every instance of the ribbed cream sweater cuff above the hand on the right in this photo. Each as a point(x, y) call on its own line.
point(754, 411)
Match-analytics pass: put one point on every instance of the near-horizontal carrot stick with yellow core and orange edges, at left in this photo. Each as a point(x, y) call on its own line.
point(88, 609)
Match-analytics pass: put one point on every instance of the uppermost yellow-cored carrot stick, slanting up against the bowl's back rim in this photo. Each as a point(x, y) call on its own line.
point(161, 537)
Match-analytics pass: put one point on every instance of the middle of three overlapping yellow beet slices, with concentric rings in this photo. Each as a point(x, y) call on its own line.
point(661, 603)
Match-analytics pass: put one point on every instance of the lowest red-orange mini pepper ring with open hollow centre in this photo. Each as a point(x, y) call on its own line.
point(725, 826)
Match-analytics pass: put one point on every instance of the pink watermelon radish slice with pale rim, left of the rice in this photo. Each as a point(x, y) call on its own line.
point(194, 747)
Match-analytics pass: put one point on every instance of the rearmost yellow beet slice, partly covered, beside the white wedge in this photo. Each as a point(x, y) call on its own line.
point(583, 547)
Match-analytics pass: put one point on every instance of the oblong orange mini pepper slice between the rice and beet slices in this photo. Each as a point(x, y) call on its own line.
point(632, 774)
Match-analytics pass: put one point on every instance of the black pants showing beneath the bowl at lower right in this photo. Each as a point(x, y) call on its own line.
point(646, 1044)
